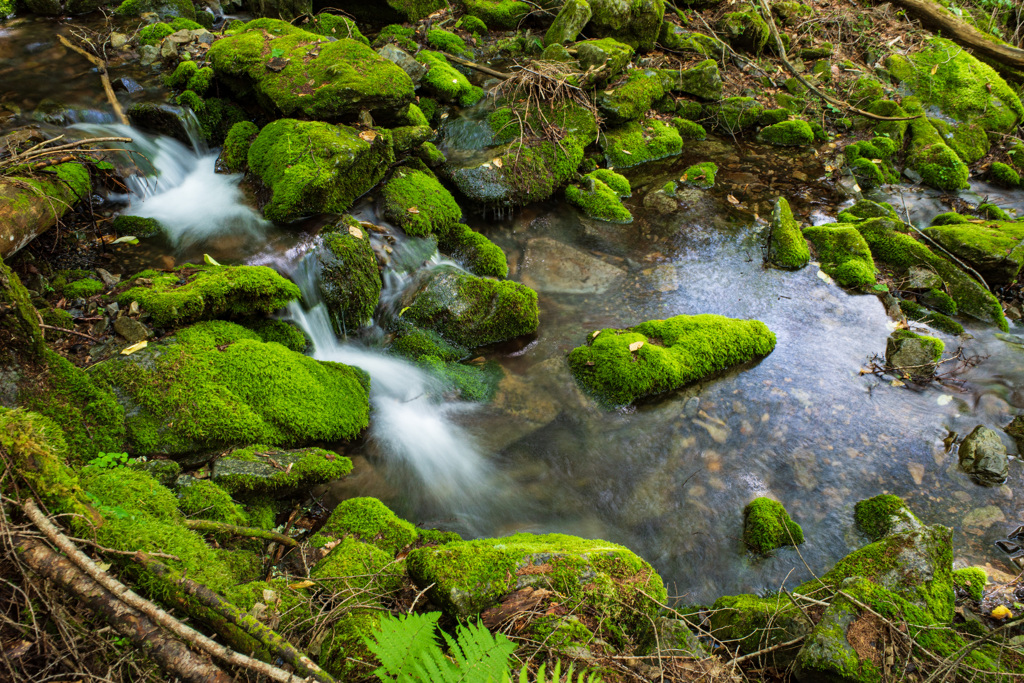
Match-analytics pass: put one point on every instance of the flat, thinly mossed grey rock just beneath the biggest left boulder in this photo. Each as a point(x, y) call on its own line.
point(259, 473)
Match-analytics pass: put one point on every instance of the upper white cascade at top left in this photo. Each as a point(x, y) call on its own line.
point(180, 188)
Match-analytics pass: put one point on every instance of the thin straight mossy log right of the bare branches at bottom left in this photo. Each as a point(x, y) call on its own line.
point(274, 643)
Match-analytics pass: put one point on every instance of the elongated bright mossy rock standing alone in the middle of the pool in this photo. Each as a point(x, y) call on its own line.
point(671, 354)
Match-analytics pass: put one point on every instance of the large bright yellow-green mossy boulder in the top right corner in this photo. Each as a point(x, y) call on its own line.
point(970, 93)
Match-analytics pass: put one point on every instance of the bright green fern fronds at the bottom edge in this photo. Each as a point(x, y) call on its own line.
point(408, 650)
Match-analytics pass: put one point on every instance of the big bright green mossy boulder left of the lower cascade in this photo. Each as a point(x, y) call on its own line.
point(218, 385)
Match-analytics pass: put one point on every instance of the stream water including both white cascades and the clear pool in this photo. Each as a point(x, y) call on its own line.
point(668, 478)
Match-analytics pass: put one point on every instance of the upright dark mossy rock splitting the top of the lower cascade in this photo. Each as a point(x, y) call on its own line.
point(351, 281)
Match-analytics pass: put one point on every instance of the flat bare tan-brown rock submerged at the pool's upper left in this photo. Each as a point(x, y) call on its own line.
point(550, 266)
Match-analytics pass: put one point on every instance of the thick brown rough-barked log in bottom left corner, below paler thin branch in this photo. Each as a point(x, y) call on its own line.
point(174, 656)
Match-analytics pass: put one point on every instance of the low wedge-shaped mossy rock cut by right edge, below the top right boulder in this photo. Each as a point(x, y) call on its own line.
point(995, 249)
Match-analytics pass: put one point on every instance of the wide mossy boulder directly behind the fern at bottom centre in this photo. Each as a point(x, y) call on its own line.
point(603, 582)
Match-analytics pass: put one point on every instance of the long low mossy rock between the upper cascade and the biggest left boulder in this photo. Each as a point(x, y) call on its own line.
point(193, 293)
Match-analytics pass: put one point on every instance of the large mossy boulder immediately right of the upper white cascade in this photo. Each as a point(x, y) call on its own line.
point(314, 167)
